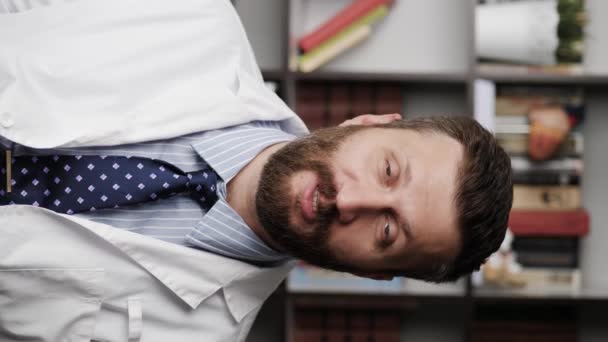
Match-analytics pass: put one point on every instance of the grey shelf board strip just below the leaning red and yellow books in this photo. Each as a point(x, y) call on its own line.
point(388, 77)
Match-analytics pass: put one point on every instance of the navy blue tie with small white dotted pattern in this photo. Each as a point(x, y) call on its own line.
point(73, 184)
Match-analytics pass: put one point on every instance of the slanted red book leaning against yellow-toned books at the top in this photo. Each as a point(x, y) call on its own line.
point(345, 17)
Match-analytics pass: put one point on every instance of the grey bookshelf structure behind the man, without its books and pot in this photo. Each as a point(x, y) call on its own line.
point(427, 47)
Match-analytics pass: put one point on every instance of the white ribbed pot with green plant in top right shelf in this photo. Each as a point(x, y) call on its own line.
point(546, 32)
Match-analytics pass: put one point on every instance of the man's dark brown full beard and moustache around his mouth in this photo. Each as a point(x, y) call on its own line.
point(274, 197)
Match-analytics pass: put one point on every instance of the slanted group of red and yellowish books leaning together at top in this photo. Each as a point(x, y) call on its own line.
point(346, 29)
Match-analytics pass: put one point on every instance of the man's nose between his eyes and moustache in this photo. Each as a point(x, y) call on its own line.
point(352, 201)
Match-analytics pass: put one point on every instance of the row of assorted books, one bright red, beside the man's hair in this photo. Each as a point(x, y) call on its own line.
point(547, 219)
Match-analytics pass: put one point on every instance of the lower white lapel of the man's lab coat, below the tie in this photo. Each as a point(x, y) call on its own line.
point(194, 275)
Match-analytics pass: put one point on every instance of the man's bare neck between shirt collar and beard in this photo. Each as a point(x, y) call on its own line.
point(242, 192)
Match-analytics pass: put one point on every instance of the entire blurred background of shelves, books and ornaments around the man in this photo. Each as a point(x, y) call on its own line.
point(535, 72)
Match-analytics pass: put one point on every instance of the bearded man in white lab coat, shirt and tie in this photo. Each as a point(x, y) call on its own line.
point(146, 85)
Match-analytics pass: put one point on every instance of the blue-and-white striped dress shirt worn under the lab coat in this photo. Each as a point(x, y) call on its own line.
point(180, 219)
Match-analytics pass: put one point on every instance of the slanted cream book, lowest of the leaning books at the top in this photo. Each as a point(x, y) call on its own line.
point(325, 53)
